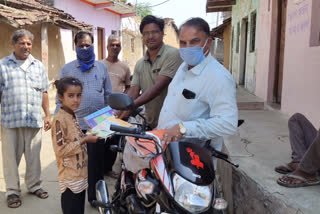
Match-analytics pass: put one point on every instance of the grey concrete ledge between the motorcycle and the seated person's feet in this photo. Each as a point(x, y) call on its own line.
point(262, 143)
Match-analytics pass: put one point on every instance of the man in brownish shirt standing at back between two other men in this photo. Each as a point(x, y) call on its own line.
point(119, 73)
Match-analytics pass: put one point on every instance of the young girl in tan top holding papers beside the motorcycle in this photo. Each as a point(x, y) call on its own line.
point(70, 148)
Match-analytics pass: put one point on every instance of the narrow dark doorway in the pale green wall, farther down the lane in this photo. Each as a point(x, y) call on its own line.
point(243, 51)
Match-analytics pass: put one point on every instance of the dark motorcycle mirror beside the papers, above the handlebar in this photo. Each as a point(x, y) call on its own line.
point(120, 101)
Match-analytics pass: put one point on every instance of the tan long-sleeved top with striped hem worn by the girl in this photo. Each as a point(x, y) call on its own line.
point(71, 156)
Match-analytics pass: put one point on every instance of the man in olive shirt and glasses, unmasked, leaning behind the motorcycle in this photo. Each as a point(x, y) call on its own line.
point(154, 72)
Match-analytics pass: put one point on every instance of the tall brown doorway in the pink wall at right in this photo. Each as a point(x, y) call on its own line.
point(281, 30)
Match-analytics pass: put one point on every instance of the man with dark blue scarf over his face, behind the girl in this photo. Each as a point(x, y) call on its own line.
point(96, 89)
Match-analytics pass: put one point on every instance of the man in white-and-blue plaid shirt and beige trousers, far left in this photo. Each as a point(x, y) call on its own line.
point(23, 91)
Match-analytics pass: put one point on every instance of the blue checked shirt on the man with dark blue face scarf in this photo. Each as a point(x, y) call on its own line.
point(96, 88)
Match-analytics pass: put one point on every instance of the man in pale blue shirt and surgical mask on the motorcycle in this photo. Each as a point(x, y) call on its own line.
point(201, 100)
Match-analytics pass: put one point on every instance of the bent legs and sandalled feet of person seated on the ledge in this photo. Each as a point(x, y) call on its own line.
point(305, 163)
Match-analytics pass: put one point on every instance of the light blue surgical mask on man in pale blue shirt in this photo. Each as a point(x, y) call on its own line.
point(193, 55)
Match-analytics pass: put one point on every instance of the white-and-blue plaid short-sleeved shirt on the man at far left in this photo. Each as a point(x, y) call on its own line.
point(22, 85)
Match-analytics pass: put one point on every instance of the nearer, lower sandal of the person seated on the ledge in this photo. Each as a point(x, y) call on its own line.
point(293, 181)
